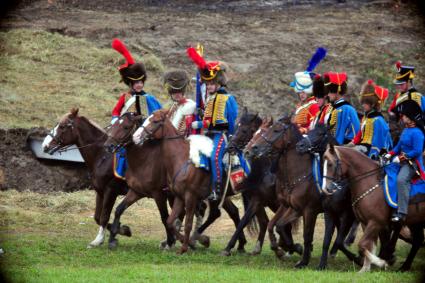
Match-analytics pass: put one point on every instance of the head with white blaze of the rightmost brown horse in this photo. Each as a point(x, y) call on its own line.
point(334, 170)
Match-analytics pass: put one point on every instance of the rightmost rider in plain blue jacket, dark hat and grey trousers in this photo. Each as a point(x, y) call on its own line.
point(408, 152)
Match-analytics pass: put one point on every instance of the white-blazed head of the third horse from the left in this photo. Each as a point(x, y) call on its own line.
point(152, 128)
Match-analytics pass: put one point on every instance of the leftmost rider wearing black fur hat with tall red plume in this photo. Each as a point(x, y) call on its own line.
point(134, 100)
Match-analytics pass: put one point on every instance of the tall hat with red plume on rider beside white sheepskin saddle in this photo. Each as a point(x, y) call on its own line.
point(213, 70)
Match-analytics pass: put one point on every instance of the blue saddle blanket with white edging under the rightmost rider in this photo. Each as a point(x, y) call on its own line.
point(390, 185)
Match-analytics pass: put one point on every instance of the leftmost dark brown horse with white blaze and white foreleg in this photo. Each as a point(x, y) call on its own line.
point(89, 139)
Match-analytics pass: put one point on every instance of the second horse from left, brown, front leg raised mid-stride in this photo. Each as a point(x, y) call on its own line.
point(145, 173)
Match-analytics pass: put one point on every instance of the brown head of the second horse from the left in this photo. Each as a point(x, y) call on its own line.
point(121, 132)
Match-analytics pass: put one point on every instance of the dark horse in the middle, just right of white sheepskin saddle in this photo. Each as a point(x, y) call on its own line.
point(259, 186)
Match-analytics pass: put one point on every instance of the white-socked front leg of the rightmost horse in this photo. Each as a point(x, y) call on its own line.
point(366, 246)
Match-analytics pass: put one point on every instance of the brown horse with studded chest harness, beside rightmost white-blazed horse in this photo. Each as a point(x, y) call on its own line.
point(294, 185)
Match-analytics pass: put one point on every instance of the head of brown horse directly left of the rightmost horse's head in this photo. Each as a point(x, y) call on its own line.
point(276, 138)
